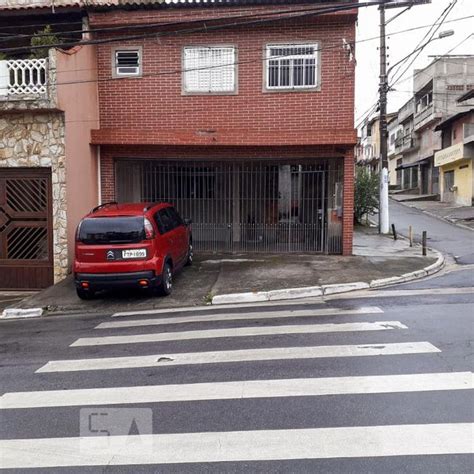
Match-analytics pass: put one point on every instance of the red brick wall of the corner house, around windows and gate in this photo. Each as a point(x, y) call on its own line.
point(149, 117)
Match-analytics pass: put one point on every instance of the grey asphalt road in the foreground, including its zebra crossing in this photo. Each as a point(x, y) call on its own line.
point(378, 381)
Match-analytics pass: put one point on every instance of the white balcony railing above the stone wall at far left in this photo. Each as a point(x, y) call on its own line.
point(23, 77)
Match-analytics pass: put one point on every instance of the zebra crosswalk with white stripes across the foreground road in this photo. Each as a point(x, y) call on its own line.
point(122, 347)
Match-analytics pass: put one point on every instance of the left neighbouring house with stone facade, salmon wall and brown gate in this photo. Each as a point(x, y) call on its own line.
point(48, 171)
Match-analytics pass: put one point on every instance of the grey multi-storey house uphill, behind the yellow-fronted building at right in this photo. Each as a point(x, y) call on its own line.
point(436, 88)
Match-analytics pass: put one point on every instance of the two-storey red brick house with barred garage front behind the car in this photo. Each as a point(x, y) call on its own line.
point(238, 112)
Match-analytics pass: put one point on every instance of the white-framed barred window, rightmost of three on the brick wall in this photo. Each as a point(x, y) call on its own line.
point(291, 66)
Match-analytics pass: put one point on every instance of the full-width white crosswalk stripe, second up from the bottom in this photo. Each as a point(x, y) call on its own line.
point(309, 387)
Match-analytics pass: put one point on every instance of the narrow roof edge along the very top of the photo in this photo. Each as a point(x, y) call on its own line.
point(33, 4)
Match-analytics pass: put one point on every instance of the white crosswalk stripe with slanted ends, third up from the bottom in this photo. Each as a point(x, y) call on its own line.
point(241, 355)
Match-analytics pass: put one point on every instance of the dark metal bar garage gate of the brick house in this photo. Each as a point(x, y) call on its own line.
point(245, 207)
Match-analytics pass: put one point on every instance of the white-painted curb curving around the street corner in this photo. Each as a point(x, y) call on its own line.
point(325, 290)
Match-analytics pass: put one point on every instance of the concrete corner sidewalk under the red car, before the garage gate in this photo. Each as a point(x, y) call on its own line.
point(375, 257)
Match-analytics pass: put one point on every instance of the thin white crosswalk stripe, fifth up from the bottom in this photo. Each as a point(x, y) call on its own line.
point(239, 317)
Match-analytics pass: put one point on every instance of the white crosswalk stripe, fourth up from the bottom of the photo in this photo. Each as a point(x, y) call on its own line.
point(238, 332)
